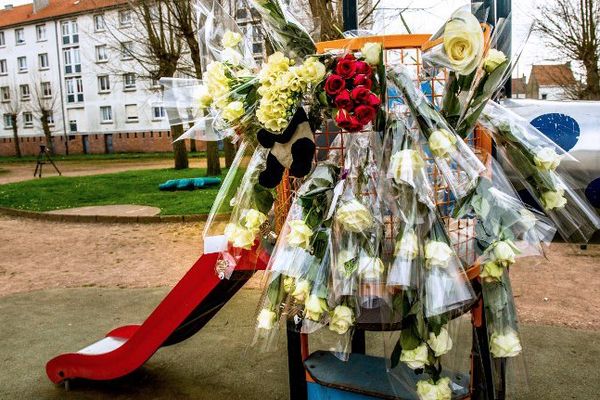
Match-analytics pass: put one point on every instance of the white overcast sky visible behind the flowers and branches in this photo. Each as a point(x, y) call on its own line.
point(426, 16)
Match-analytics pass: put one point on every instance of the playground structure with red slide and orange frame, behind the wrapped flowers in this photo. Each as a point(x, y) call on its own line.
point(318, 375)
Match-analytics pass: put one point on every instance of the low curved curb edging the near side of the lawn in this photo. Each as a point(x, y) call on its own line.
point(106, 218)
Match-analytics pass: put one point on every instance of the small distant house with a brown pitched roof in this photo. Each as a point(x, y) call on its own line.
point(551, 82)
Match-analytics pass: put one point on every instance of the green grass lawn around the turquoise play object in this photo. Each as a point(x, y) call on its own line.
point(131, 187)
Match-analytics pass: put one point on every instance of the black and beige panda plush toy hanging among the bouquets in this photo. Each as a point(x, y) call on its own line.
point(294, 149)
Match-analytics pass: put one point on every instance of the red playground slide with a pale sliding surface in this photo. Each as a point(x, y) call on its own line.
point(197, 297)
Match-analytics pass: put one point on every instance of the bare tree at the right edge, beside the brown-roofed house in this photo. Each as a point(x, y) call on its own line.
point(572, 28)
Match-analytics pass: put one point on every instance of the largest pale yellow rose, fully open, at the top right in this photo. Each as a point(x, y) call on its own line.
point(463, 42)
